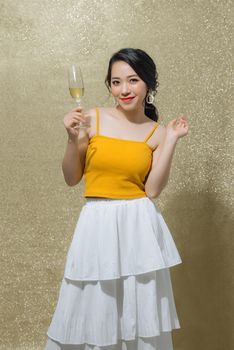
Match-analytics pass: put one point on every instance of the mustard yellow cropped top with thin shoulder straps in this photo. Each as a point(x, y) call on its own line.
point(116, 168)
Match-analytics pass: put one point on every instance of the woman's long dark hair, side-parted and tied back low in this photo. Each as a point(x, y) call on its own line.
point(145, 68)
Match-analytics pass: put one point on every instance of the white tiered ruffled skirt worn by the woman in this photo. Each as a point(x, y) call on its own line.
point(116, 293)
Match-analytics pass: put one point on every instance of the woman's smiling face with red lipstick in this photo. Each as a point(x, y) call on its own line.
point(128, 89)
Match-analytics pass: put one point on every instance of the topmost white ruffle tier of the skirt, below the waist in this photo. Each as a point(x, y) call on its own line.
point(128, 237)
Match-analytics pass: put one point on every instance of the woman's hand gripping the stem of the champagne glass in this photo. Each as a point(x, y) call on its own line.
point(71, 121)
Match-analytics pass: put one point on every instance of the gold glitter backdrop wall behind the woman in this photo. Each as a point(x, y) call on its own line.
point(192, 44)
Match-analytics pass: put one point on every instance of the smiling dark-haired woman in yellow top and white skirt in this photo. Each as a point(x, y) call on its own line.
point(116, 292)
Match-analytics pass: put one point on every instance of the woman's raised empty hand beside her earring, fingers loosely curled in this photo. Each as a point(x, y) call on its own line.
point(177, 127)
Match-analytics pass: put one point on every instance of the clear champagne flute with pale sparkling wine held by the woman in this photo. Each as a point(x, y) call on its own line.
point(76, 87)
